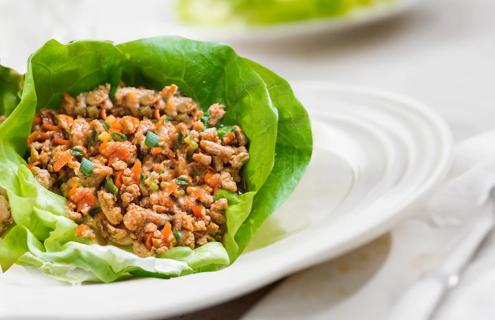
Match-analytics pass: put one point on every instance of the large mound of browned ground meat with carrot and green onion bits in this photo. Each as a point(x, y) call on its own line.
point(141, 170)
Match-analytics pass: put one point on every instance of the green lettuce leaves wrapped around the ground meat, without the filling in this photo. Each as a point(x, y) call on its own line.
point(276, 124)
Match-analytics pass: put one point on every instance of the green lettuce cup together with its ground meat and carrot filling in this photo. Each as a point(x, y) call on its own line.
point(158, 157)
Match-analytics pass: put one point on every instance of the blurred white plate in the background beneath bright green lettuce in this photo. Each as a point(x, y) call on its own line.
point(298, 29)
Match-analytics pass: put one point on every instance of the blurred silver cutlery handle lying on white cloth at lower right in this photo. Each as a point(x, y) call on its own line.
point(424, 298)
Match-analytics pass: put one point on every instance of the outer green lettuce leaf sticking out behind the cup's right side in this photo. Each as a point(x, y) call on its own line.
point(293, 153)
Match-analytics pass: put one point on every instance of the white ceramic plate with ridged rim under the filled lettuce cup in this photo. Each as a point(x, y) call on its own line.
point(374, 153)
